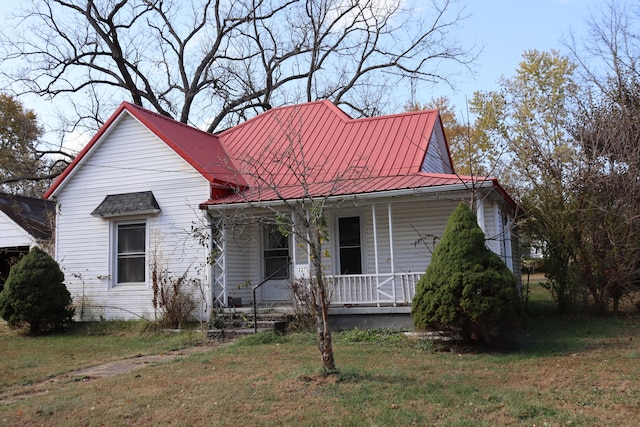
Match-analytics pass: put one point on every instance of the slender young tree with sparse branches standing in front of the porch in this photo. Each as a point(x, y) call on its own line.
point(293, 189)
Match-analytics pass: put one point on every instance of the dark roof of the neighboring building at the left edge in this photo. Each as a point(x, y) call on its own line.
point(34, 215)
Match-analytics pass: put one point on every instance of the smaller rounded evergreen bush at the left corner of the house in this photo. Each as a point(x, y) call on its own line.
point(35, 294)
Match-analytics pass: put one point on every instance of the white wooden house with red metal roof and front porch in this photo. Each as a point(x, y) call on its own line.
point(148, 191)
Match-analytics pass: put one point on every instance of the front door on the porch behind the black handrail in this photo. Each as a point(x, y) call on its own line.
point(275, 265)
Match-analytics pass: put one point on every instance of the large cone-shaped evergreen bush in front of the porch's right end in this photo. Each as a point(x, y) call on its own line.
point(467, 288)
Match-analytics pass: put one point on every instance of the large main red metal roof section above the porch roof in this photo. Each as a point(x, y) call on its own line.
point(326, 144)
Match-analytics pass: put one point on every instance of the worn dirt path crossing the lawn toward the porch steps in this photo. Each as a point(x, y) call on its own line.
point(103, 370)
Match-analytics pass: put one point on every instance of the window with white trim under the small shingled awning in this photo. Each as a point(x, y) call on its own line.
point(130, 245)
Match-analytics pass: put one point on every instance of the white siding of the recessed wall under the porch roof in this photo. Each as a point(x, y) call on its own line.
point(412, 218)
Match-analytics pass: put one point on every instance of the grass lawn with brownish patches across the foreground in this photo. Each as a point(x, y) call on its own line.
point(568, 370)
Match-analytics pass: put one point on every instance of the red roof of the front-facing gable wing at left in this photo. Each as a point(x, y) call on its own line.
point(200, 149)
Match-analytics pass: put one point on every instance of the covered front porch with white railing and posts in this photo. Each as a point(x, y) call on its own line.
point(373, 256)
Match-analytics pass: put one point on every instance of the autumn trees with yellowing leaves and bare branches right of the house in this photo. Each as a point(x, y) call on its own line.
point(563, 136)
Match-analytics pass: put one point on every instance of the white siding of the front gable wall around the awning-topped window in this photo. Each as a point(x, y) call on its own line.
point(128, 159)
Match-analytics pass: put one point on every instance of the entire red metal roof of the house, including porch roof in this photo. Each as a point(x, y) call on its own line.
point(312, 149)
